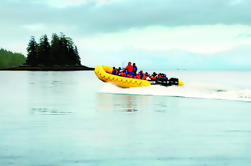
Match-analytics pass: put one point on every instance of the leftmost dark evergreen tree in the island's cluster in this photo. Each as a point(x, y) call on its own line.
point(32, 56)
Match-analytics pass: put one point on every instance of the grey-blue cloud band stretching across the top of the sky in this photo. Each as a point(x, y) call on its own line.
point(116, 15)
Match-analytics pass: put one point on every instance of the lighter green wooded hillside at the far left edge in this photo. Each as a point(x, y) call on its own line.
point(10, 59)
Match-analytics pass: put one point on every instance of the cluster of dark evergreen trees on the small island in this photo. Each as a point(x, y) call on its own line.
point(60, 51)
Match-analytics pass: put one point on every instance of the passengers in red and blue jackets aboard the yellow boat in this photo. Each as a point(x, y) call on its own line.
point(131, 72)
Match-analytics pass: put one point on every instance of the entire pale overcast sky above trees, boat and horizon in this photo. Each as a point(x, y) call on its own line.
point(161, 31)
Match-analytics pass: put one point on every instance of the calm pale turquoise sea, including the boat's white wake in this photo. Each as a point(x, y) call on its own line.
point(72, 118)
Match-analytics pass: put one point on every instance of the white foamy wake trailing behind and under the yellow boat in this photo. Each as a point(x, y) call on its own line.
point(205, 91)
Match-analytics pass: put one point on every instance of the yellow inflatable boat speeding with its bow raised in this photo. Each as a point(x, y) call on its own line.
point(104, 73)
